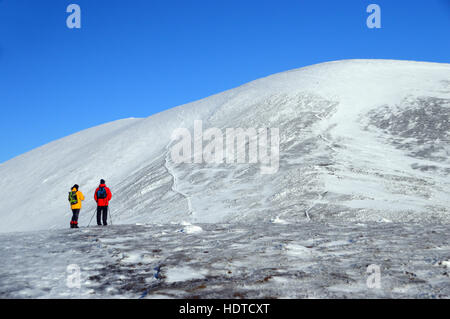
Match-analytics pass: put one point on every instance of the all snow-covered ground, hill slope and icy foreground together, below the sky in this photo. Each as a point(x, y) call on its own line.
point(364, 178)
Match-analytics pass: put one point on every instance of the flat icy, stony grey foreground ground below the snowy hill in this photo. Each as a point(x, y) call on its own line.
point(267, 260)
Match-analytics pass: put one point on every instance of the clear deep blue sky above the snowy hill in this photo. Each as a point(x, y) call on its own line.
point(138, 57)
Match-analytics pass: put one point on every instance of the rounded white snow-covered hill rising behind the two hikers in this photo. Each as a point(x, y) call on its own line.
point(360, 140)
